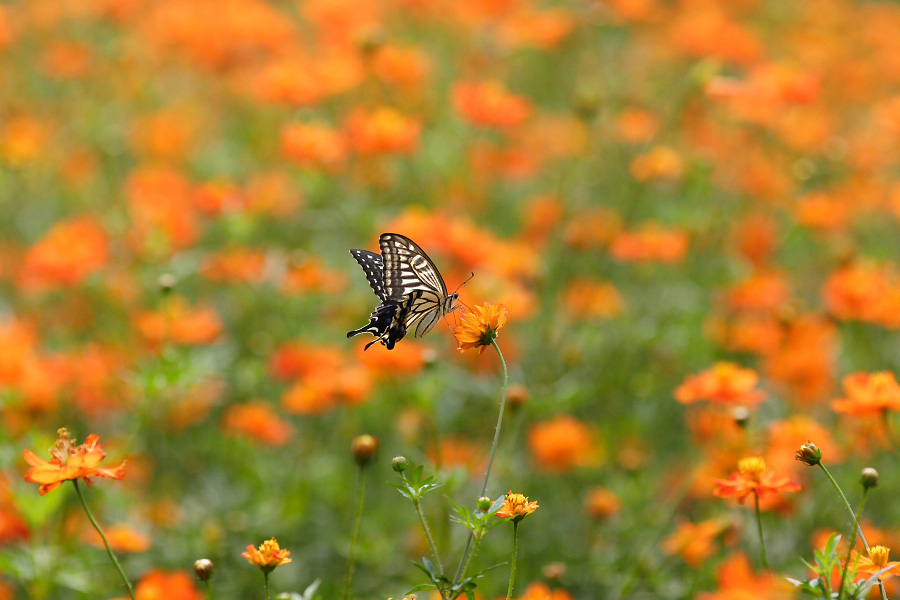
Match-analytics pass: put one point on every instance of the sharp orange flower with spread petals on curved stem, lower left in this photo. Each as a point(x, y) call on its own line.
point(69, 462)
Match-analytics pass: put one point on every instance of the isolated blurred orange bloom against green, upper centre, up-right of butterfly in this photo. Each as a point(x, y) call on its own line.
point(490, 105)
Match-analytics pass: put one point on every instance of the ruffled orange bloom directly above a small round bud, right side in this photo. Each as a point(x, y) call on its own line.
point(725, 383)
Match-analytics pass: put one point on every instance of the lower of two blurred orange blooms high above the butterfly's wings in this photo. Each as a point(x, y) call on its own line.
point(382, 131)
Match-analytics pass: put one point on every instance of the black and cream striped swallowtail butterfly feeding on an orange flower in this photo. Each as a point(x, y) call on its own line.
point(411, 290)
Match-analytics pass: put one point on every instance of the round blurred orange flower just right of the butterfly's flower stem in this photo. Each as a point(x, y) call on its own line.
point(563, 443)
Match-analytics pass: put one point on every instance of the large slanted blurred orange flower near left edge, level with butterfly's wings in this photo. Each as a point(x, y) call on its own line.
point(67, 254)
